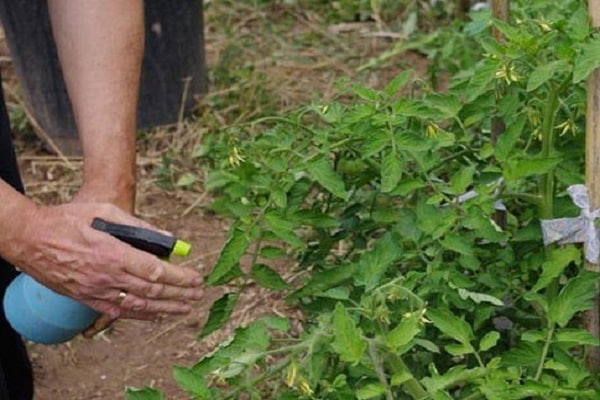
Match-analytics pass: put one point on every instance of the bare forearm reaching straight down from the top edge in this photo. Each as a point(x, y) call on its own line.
point(100, 46)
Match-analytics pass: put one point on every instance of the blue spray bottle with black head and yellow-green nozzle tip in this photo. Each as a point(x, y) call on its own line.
point(44, 316)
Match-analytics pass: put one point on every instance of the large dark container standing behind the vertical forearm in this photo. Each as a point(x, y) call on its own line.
point(173, 66)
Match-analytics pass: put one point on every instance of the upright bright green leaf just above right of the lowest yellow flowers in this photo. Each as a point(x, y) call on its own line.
point(348, 341)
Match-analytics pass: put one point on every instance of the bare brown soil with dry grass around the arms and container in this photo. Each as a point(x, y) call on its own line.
point(294, 56)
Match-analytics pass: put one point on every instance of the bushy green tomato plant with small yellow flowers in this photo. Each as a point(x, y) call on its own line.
point(418, 233)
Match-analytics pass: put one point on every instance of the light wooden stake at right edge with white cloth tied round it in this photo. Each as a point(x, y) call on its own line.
point(592, 175)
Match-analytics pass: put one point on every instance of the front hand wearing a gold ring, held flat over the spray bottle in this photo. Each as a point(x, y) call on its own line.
point(57, 246)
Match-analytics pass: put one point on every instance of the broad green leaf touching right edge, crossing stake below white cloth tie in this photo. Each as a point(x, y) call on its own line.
point(576, 296)
